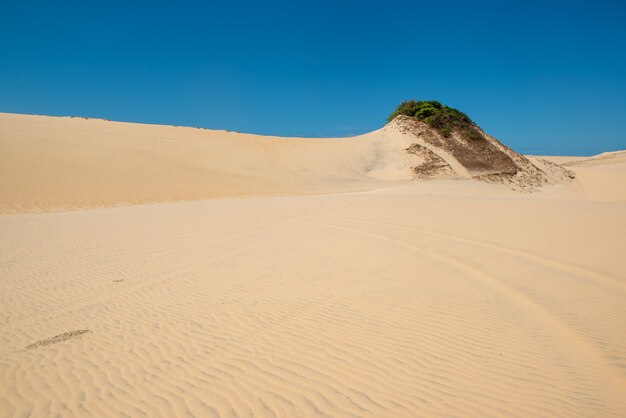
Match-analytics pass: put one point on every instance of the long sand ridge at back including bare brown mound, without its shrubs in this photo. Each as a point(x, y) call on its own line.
point(62, 163)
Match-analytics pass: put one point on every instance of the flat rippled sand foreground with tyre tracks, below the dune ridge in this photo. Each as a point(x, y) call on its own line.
point(356, 305)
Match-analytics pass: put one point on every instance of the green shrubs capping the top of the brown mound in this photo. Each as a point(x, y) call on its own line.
point(442, 118)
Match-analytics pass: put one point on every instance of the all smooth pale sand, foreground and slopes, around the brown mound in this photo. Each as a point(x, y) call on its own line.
point(330, 286)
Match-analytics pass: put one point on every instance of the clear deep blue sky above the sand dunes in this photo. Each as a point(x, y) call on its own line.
point(543, 77)
